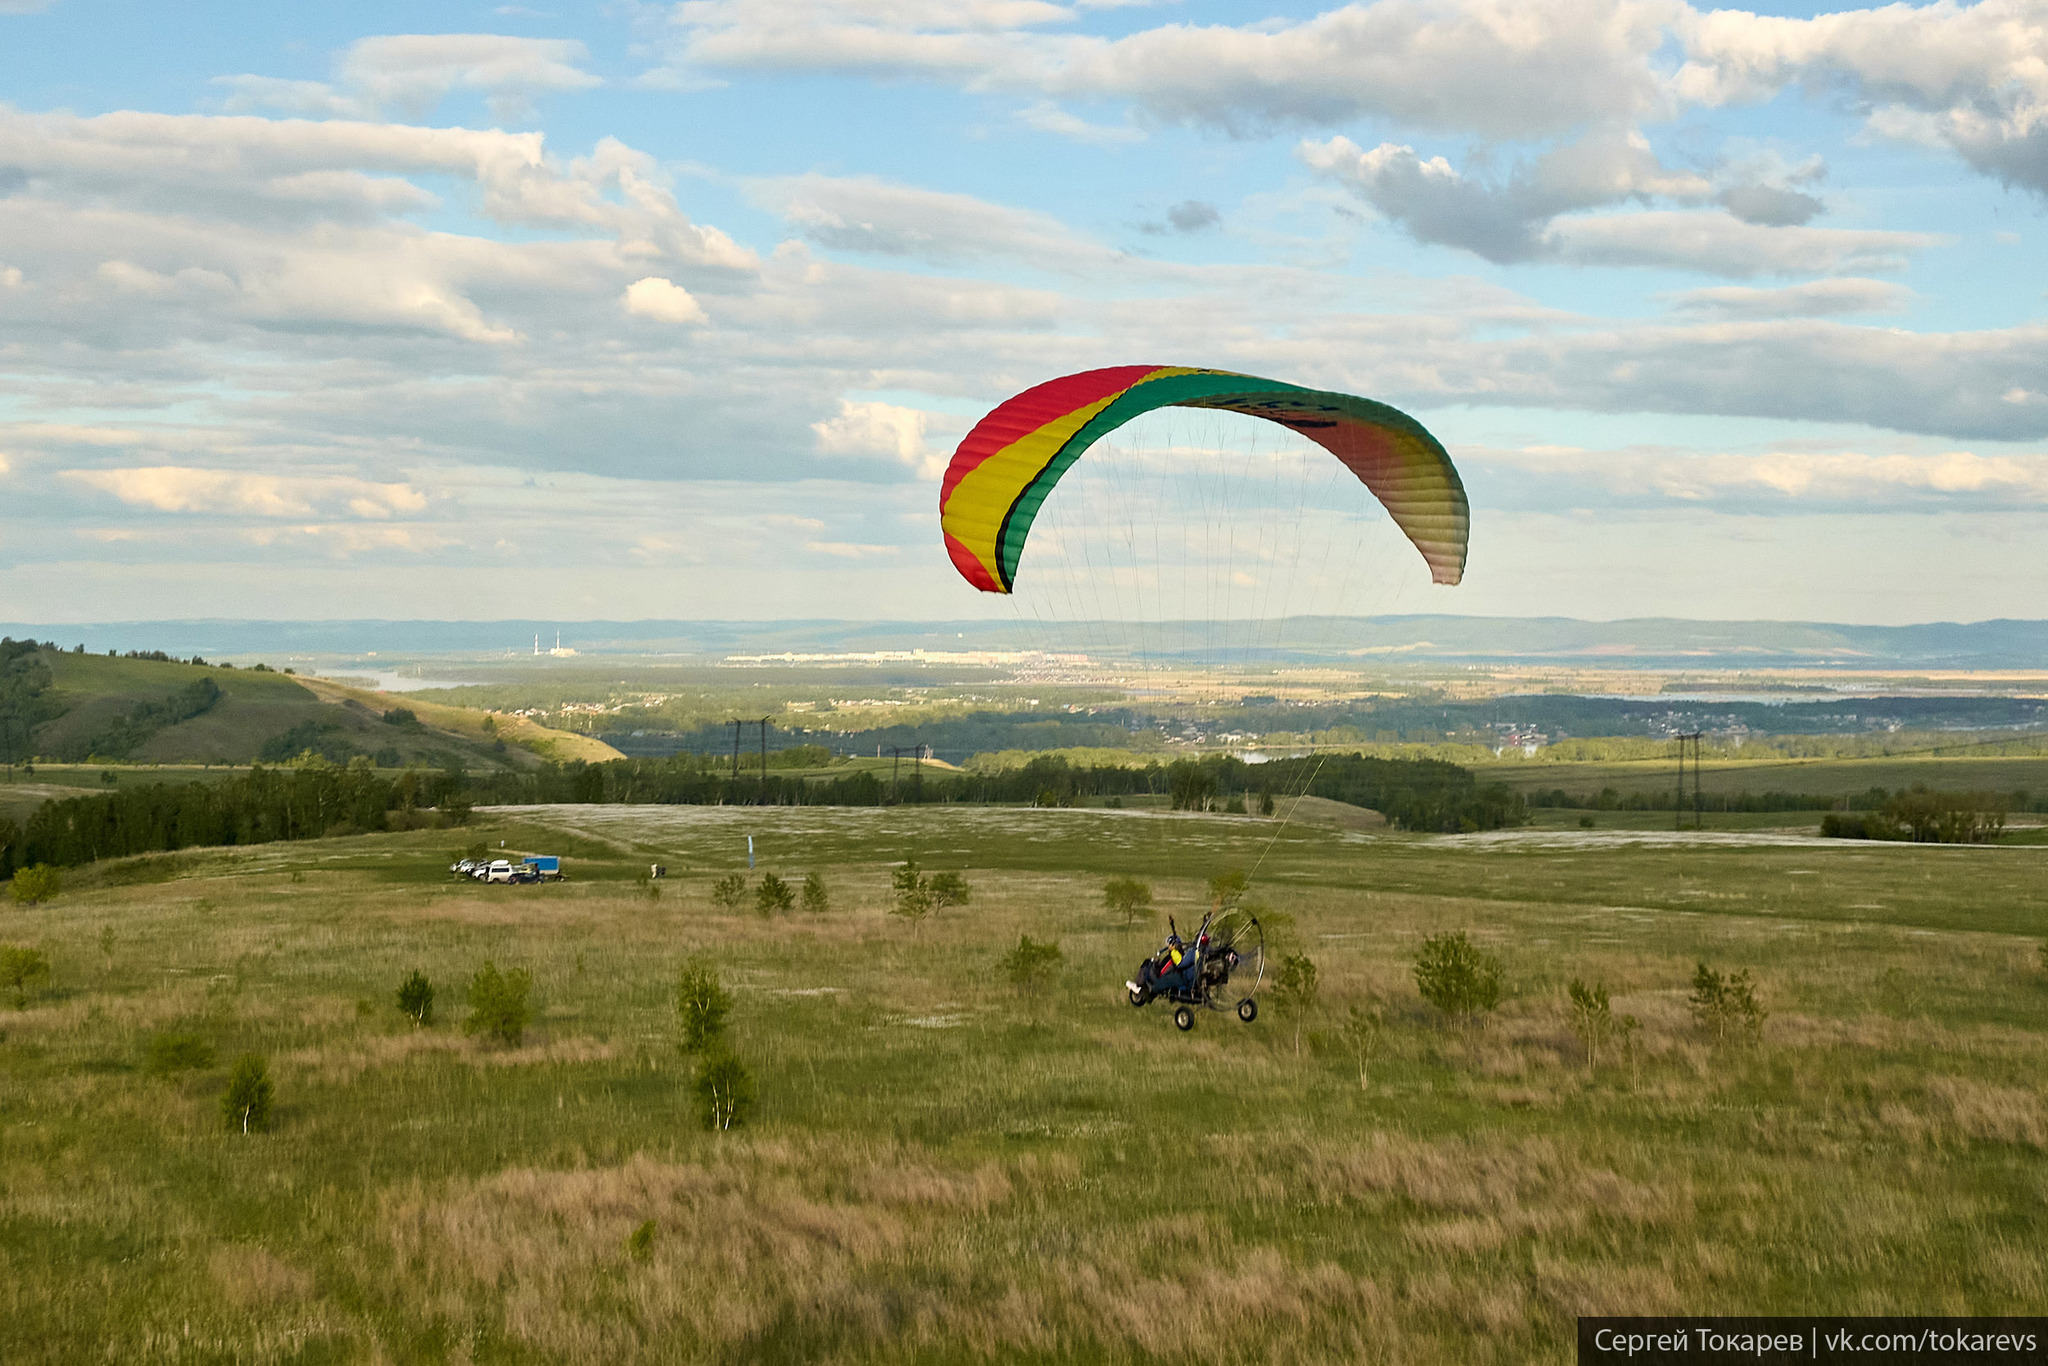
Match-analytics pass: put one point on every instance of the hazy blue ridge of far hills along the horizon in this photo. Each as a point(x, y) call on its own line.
point(1650, 642)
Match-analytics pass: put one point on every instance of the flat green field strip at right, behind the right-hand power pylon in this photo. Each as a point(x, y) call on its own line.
point(1818, 777)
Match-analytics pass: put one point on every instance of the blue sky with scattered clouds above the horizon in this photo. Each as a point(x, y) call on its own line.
point(677, 312)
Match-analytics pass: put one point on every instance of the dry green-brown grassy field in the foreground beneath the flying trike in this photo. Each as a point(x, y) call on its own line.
point(939, 1170)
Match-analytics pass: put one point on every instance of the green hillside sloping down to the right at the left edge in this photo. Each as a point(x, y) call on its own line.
point(77, 708)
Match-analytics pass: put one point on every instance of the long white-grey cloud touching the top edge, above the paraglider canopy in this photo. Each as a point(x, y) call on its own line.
point(1486, 67)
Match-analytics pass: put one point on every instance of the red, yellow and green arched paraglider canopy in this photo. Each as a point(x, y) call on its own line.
point(1009, 466)
